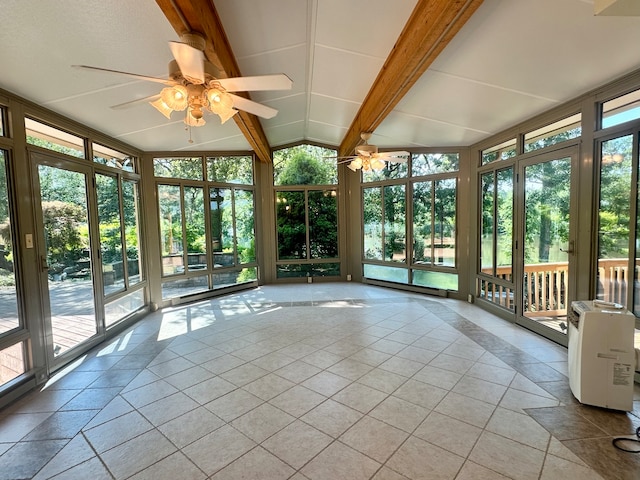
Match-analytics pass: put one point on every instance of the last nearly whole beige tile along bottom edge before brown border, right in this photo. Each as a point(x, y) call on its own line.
point(510, 458)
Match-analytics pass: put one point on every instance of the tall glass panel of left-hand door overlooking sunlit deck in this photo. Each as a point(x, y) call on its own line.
point(66, 228)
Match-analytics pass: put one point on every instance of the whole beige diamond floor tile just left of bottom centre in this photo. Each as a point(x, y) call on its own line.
point(297, 443)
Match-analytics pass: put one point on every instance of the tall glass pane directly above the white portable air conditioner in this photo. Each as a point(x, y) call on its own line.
point(614, 219)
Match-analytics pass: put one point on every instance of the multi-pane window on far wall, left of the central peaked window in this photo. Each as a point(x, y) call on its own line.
point(207, 229)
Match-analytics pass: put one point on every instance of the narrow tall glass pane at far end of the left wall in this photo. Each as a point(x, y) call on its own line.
point(131, 207)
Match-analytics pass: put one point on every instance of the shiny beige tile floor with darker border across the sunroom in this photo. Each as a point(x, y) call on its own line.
point(321, 381)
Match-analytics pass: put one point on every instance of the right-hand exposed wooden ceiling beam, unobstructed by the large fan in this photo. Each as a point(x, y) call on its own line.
point(431, 26)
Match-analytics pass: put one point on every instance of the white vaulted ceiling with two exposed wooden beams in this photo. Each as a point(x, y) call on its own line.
point(417, 73)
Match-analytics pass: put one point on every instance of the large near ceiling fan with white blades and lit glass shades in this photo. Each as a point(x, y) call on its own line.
point(193, 86)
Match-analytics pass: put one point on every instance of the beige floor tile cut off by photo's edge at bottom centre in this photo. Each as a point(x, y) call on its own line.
point(338, 461)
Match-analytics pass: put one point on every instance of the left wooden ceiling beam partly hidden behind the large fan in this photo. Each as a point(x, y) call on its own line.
point(201, 16)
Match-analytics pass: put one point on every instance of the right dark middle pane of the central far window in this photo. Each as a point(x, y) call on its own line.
point(323, 223)
